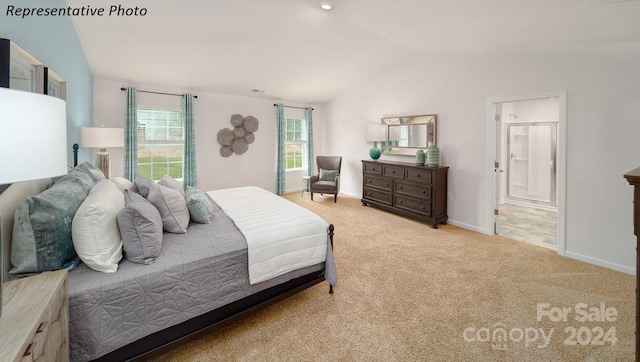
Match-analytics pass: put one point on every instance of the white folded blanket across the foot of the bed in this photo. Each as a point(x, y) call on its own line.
point(281, 236)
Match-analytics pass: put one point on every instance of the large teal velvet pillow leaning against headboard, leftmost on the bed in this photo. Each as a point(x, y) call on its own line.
point(42, 227)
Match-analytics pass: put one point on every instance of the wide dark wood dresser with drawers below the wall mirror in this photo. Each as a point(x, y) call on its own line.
point(406, 189)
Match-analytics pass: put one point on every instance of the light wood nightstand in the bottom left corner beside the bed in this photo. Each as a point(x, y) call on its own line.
point(35, 318)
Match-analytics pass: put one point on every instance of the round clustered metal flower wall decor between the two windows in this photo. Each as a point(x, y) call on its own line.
point(238, 139)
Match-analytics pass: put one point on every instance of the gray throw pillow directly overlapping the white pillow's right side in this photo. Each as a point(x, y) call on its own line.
point(140, 226)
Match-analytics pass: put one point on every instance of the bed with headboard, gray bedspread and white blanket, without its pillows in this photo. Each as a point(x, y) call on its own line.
point(202, 279)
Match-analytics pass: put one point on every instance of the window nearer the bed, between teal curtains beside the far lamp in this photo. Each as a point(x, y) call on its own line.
point(160, 143)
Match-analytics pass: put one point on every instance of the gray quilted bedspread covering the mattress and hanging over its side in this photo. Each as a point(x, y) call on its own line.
point(196, 272)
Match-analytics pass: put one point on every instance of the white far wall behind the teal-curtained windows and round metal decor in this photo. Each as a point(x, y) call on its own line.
point(212, 113)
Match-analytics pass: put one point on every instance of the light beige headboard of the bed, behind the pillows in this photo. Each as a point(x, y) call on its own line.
point(10, 200)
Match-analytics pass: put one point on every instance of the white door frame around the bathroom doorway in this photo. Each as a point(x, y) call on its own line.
point(561, 171)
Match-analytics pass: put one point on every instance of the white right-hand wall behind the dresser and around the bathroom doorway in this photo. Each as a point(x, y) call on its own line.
point(603, 107)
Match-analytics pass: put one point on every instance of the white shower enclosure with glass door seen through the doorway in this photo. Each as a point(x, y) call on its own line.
point(531, 166)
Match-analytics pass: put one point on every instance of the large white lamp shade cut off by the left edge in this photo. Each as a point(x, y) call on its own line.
point(33, 136)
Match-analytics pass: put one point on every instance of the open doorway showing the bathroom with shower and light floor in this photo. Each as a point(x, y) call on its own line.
point(527, 192)
